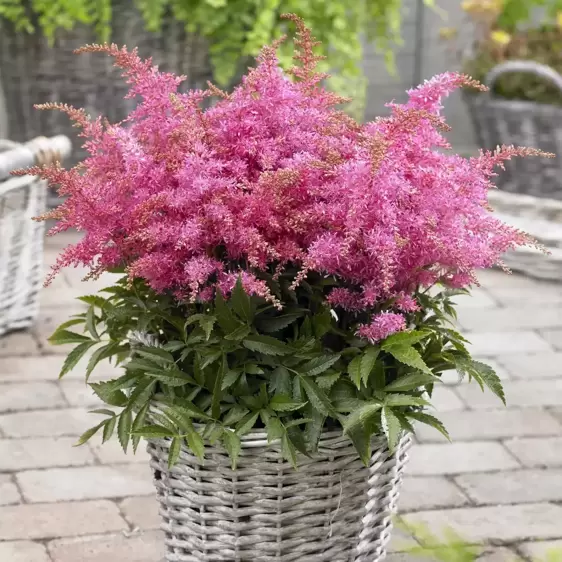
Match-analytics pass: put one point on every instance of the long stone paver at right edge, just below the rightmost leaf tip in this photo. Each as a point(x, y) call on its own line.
point(475, 425)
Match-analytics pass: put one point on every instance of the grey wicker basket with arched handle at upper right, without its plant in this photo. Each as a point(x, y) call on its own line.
point(499, 121)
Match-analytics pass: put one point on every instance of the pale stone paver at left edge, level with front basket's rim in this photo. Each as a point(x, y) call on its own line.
point(24, 454)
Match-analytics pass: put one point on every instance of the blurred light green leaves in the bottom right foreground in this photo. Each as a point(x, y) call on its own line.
point(453, 548)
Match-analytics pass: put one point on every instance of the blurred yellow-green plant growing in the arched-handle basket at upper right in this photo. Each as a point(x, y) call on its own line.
point(514, 30)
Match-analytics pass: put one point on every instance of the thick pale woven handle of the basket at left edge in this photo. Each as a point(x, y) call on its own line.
point(39, 151)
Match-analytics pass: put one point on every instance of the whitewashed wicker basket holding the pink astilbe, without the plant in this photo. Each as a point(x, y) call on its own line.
point(333, 509)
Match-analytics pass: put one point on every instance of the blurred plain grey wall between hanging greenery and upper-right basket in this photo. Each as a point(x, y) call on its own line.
point(434, 59)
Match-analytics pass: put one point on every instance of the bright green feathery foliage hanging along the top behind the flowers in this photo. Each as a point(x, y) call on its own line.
point(237, 29)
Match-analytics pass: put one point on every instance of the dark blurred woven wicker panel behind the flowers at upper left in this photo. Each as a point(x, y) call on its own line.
point(35, 72)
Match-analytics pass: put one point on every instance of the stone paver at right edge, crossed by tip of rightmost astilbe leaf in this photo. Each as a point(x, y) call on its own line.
point(519, 394)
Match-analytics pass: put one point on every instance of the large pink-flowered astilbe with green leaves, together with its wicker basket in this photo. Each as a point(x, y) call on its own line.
point(282, 316)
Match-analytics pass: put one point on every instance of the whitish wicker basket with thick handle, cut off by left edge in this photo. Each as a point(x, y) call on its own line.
point(21, 239)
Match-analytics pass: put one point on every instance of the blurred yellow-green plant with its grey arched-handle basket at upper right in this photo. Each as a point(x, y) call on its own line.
point(516, 50)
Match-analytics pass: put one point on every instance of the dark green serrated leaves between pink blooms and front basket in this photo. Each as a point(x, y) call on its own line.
point(212, 372)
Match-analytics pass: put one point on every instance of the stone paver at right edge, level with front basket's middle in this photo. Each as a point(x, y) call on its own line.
point(520, 486)
